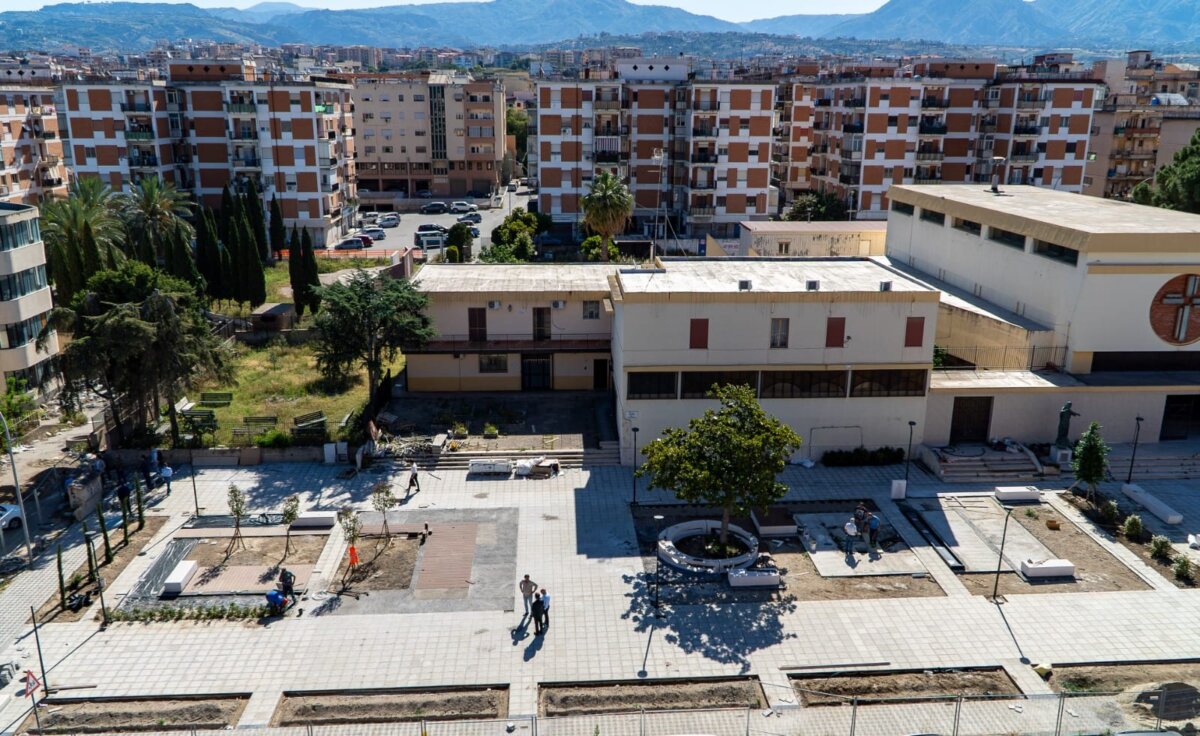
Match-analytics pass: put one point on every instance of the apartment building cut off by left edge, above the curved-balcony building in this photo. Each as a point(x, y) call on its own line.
point(32, 166)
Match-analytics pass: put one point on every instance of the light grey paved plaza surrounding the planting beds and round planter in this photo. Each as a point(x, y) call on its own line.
point(575, 536)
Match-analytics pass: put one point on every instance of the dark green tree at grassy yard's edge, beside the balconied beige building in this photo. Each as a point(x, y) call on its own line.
point(367, 321)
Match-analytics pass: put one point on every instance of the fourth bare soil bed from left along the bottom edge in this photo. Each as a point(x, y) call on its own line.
point(890, 687)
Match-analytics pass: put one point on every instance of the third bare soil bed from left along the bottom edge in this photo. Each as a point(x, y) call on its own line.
point(632, 697)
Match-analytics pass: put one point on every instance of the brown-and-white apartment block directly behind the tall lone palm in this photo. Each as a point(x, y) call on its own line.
point(695, 153)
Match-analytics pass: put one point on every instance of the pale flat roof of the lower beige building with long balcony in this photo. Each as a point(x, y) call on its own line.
point(503, 278)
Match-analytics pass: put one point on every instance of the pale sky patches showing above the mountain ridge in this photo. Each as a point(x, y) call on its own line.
point(743, 10)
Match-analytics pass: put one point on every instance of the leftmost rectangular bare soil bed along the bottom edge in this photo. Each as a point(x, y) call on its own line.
point(100, 716)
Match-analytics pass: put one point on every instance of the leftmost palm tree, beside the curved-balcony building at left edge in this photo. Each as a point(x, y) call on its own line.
point(86, 220)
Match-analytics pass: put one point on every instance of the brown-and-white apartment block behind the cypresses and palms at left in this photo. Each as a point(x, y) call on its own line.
point(223, 123)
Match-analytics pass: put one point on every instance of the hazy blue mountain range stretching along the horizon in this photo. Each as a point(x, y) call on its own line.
point(515, 23)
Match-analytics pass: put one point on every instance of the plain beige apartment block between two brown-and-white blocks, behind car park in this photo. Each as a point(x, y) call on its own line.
point(429, 133)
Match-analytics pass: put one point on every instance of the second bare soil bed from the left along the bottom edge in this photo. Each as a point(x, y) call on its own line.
point(398, 705)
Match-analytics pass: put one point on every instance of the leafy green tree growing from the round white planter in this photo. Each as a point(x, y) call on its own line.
point(728, 458)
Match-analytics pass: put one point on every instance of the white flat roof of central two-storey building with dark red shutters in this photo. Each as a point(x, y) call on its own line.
point(766, 277)
